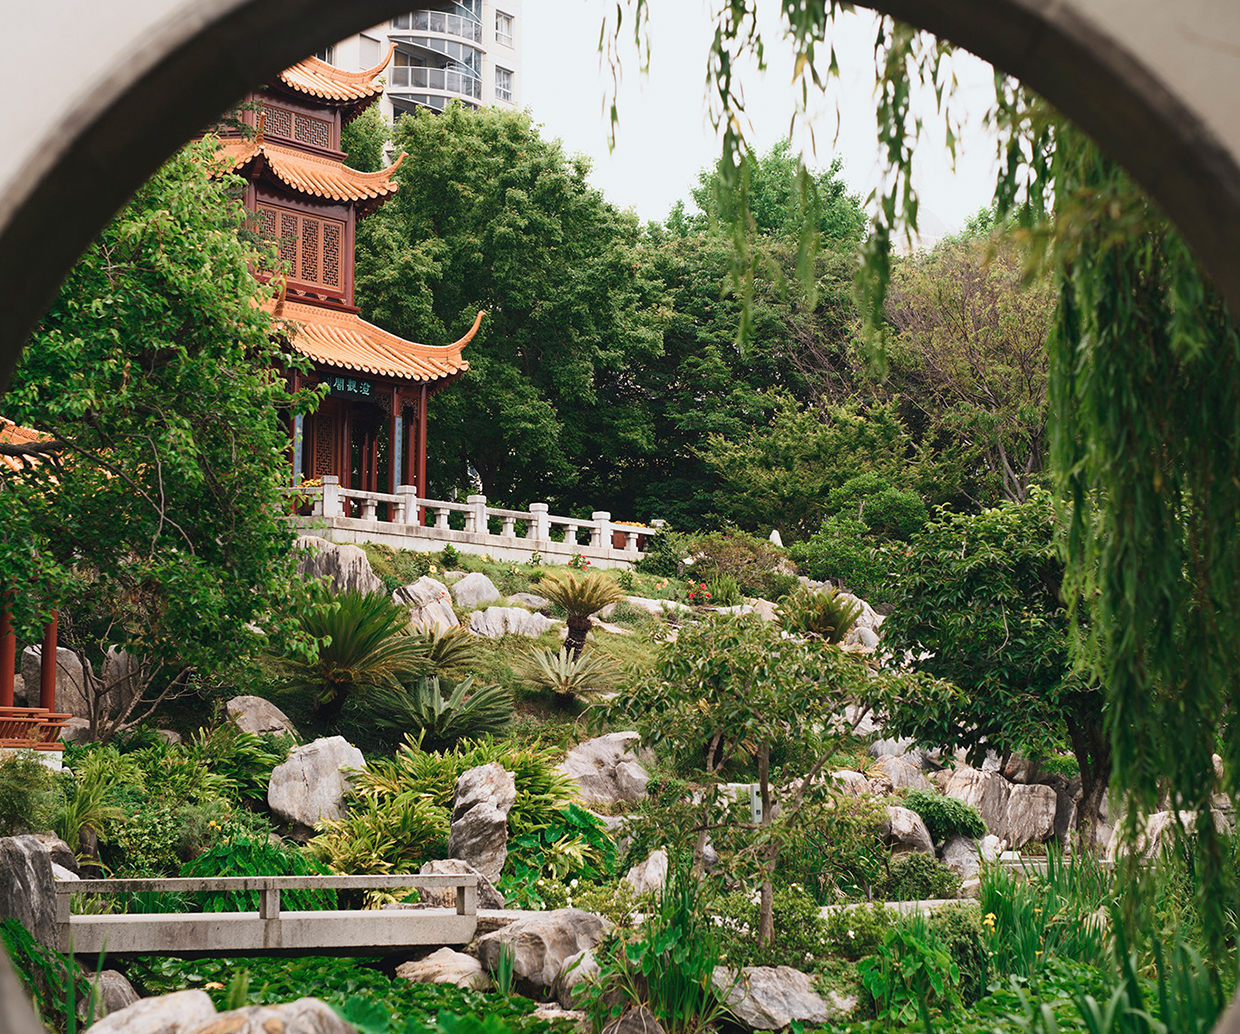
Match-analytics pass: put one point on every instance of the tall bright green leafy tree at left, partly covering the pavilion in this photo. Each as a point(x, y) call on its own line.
point(153, 520)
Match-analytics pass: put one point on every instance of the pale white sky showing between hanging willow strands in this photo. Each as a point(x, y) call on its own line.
point(665, 136)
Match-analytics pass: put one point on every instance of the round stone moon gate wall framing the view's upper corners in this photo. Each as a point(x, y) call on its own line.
point(99, 96)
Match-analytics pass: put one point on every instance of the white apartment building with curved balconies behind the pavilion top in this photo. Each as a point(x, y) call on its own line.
point(446, 50)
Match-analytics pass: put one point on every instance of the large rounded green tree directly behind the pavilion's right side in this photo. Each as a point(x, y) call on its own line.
point(492, 216)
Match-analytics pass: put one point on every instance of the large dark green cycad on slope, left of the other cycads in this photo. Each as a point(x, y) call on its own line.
point(365, 644)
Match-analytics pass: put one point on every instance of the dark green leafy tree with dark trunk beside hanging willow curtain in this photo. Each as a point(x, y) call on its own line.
point(980, 604)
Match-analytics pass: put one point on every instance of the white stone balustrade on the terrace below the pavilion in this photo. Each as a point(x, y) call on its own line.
point(405, 521)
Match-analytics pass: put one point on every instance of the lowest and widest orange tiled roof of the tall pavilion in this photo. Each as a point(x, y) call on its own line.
point(347, 342)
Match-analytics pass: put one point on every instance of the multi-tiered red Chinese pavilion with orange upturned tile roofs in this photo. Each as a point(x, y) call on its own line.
point(371, 428)
